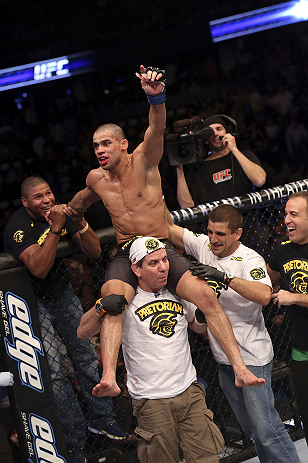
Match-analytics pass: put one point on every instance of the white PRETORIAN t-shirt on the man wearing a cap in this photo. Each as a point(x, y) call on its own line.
point(155, 345)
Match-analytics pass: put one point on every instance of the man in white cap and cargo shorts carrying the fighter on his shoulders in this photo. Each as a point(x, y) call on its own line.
point(167, 400)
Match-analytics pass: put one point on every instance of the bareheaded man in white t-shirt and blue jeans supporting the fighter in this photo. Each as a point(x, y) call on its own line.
point(238, 276)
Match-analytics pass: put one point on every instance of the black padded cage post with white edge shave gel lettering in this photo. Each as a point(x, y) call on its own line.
point(31, 398)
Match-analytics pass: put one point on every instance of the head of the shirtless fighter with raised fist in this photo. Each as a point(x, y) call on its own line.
point(108, 149)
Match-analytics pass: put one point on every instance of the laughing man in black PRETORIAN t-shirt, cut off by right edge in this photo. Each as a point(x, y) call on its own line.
point(290, 264)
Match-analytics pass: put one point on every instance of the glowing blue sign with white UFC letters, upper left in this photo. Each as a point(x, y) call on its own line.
point(44, 71)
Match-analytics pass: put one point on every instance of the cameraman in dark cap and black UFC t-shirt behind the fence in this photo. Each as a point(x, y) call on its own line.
point(225, 173)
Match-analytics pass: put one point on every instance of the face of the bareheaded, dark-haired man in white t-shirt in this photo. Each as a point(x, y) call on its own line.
point(223, 242)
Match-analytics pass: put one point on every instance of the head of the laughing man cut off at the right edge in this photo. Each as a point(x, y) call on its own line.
point(296, 220)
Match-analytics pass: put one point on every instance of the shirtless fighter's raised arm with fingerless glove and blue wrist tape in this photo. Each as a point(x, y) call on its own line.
point(153, 83)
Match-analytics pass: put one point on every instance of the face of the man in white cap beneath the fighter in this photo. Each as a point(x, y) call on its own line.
point(153, 273)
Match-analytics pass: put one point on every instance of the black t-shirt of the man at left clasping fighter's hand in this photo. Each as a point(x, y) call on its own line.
point(21, 232)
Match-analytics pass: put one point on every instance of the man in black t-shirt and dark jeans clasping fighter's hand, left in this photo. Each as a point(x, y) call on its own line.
point(30, 238)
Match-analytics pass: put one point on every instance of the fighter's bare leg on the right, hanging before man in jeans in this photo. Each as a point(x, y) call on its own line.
point(198, 291)
